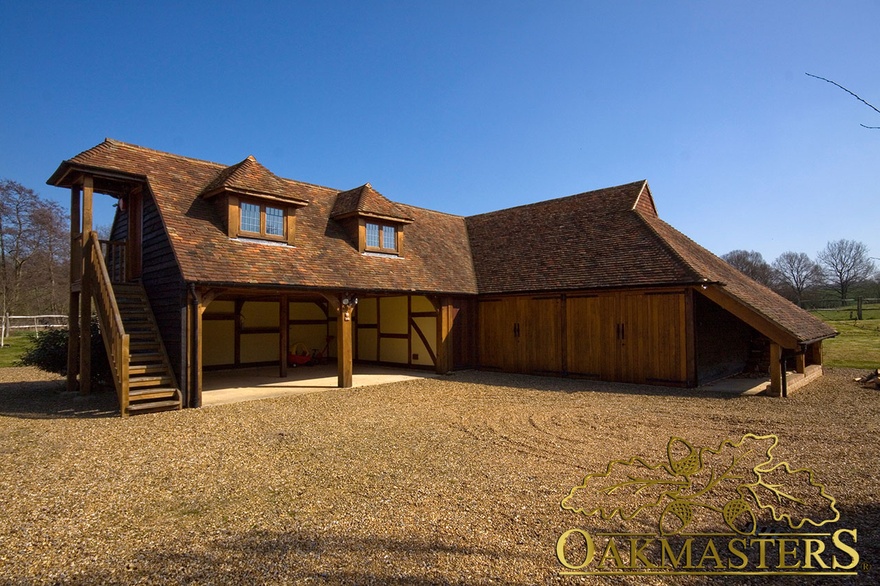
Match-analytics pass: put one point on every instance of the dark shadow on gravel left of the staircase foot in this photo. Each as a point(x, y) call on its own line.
point(50, 400)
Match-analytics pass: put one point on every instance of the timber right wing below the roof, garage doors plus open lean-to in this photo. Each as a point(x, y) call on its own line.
point(648, 336)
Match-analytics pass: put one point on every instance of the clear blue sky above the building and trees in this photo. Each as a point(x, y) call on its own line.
point(468, 107)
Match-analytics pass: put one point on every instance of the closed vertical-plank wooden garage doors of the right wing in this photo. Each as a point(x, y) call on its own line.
point(640, 336)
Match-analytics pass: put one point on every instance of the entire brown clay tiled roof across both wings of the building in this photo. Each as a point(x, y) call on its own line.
point(608, 238)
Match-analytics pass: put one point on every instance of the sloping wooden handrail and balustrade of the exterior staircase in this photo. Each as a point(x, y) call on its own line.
point(116, 341)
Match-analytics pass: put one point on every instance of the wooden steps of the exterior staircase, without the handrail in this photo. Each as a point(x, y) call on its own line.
point(151, 382)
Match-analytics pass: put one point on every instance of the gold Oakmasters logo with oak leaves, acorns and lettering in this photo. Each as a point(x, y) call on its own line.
point(707, 511)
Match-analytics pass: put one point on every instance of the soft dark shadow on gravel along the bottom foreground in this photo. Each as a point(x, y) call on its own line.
point(270, 557)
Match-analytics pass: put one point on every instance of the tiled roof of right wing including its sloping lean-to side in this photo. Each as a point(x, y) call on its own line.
point(611, 238)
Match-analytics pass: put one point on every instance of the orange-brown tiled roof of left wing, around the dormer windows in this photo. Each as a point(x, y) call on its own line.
point(324, 257)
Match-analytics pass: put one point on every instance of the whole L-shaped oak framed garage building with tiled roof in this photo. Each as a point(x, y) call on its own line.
point(215, 266)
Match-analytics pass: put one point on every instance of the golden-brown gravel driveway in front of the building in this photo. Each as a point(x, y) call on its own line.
point(455, 480)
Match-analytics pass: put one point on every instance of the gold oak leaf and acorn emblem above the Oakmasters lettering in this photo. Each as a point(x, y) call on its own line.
point(739, 481)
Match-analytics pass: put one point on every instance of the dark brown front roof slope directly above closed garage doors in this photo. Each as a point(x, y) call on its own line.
point(585, 241)
